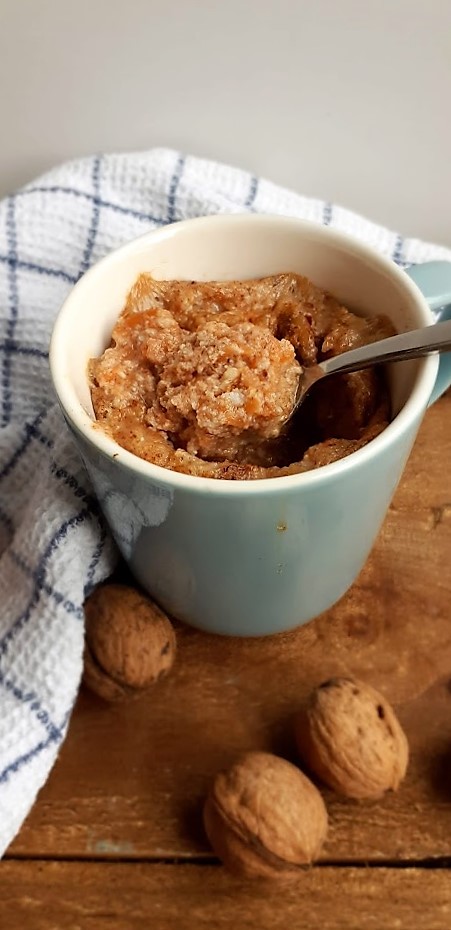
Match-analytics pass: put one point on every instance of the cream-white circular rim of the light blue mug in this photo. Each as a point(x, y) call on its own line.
point(117, 455)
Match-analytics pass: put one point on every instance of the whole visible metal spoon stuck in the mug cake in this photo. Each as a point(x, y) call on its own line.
point(413, 344)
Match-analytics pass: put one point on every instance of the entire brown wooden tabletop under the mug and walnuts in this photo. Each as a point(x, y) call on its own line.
point(115, 839)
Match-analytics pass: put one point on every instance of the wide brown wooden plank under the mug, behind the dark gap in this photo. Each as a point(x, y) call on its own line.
point(130, 780)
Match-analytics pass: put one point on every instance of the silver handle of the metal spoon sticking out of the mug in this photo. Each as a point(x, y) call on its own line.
point(413, 344)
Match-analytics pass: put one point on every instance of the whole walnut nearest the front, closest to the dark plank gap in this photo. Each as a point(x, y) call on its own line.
point(264, 818)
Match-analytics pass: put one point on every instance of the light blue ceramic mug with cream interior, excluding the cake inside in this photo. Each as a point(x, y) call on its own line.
point(249, 558)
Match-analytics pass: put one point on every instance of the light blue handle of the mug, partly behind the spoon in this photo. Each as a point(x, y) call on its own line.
point(434, 281)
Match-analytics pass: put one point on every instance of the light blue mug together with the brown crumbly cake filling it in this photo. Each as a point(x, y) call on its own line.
point(175, 361)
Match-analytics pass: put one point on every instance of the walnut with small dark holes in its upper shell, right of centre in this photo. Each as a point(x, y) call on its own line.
point(349, 736)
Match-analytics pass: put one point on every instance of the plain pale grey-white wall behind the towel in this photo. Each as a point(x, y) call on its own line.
point(348, 100)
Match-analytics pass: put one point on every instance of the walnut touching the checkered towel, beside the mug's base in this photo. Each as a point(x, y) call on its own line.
point(130, 643)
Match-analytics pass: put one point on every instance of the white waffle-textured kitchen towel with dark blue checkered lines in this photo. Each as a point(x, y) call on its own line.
point(53, 545)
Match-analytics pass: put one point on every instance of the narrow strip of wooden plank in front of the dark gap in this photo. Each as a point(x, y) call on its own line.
point(112, 896)
